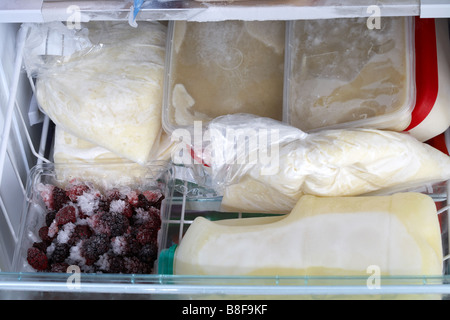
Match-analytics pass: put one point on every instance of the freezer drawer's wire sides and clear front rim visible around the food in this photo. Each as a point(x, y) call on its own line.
point(23, 145)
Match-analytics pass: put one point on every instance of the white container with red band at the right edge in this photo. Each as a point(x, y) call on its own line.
point(431, 115)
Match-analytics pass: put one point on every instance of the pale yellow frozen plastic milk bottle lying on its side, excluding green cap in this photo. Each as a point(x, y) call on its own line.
point(322, 236)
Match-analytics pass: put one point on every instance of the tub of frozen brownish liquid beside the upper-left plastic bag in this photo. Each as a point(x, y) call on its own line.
point(213, 69)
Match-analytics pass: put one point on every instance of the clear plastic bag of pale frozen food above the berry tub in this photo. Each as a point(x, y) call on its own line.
point(102, 83)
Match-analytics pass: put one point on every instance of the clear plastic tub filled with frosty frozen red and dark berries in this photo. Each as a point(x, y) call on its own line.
point(103, 218)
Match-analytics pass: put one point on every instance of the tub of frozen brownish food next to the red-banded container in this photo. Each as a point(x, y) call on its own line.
point(340, 73)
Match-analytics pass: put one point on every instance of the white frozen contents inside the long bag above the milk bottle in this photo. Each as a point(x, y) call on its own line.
point(341, 163)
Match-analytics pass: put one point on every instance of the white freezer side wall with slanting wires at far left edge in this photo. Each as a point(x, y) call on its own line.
point(18, 158)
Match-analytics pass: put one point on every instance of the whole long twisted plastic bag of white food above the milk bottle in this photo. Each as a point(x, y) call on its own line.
point(254, 161)
